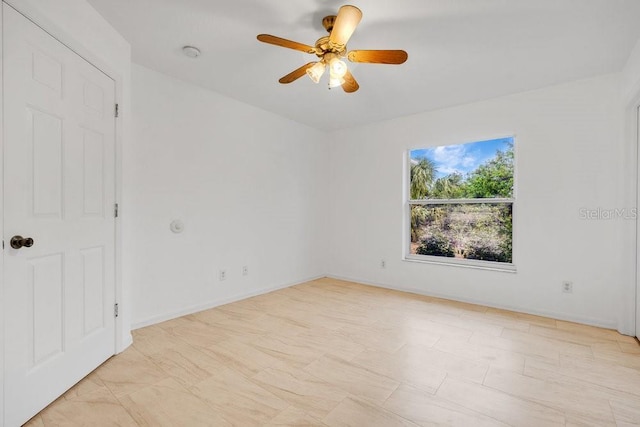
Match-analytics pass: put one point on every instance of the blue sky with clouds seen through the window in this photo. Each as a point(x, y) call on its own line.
point(461, 158)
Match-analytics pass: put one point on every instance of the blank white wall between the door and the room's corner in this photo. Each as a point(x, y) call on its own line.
point(250, 187)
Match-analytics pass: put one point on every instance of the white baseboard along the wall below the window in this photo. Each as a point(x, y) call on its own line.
point(601, 323)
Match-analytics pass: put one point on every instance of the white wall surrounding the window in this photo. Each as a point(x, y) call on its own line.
point(569, 148)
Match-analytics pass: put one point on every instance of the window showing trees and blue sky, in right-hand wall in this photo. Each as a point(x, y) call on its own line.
point(460, 203)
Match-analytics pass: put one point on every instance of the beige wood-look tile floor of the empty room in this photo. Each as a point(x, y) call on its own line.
point(334, 353)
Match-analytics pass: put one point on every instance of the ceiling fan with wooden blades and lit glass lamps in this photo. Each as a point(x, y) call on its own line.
point(330, 49)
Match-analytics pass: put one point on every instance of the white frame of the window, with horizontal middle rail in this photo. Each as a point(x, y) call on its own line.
point(432, 259)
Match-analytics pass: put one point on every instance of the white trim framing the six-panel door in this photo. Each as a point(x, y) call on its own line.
point(122, 338)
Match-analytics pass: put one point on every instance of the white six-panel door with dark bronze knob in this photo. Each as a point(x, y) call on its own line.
point(59, 134)
